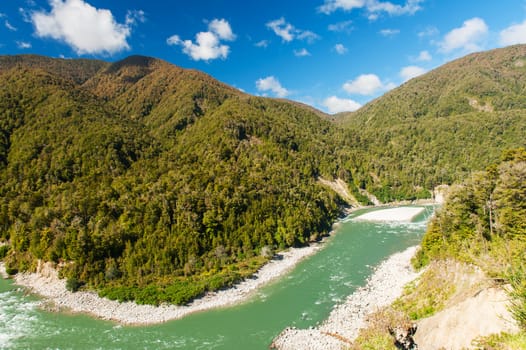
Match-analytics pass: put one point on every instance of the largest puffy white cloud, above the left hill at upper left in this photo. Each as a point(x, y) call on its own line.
point(86, 29)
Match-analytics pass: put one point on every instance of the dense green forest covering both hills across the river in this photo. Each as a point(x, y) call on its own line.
point(150, 182)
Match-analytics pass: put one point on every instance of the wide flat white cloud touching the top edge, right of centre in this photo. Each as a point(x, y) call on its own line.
point(373, 7)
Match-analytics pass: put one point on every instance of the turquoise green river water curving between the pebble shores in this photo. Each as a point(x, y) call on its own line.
point(302, 298)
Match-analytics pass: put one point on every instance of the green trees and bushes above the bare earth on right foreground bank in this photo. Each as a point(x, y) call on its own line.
point(483, 222)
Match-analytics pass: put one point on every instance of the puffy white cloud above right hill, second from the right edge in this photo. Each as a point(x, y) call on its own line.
point(467, 37)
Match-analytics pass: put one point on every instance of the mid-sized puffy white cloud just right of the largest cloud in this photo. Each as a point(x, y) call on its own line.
point(208, 45)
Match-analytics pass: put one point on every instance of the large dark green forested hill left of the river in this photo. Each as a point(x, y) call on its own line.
point(141, 174)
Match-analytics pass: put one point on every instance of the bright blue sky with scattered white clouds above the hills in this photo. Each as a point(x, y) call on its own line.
point(335, 55)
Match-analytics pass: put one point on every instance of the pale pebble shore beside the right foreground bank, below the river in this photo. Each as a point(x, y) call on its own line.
point(346, 319)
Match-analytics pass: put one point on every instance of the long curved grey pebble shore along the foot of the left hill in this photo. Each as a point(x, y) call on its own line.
point(47, 284)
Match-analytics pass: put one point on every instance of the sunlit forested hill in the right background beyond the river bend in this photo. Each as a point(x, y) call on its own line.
point(440, 126)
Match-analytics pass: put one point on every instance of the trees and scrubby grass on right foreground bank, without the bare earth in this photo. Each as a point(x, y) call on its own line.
point(480, 230)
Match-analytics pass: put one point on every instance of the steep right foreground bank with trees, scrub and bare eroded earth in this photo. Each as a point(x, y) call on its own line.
point(474, 244)
